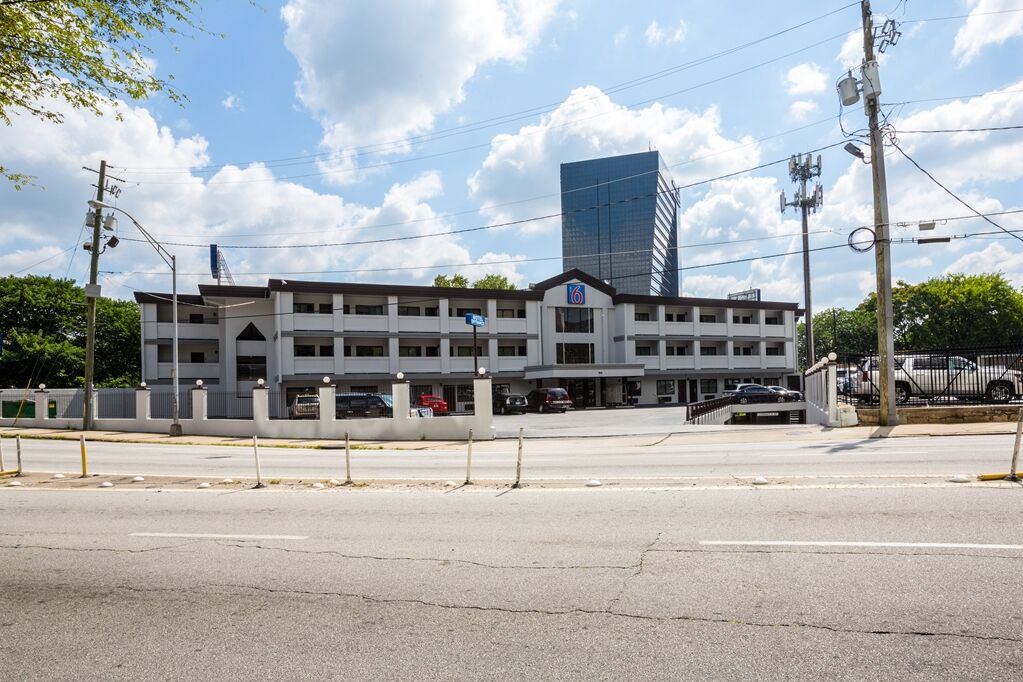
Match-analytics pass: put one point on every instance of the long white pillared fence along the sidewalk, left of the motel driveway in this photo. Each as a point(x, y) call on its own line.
point(402, 427)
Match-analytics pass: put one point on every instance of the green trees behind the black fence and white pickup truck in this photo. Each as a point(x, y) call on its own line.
point(956, 310)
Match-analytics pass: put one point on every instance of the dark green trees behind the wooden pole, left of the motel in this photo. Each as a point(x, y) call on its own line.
point(42, 322)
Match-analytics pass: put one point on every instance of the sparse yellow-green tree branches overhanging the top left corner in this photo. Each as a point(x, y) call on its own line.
point(86, 54)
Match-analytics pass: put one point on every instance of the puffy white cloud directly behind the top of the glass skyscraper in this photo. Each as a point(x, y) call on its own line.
point(589, 125)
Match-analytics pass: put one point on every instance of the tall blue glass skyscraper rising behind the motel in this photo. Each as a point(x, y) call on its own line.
point(620, 222)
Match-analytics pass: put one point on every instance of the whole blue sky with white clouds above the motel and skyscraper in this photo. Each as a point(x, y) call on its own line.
point(320, 122)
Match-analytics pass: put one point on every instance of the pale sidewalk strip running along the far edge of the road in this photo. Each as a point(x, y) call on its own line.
point(681, 436)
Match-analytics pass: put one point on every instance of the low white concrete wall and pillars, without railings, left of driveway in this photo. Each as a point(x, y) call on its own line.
point(399, 428)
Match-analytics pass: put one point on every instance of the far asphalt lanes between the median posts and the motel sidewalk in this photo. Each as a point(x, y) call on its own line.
point(627, 459)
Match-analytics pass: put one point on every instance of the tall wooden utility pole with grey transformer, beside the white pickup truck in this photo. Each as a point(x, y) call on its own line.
point(887, 415)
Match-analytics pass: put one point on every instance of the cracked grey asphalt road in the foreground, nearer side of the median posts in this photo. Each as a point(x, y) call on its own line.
point(535, 584)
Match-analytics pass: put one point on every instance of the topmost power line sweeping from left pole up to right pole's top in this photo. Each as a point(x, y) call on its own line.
point(529, 113)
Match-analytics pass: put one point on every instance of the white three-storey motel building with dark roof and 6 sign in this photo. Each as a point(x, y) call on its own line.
point(604, 347)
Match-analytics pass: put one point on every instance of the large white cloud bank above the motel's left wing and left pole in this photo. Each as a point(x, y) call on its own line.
point(233, 203)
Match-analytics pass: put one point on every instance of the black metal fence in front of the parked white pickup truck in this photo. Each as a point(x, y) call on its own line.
point(991, 376)
